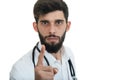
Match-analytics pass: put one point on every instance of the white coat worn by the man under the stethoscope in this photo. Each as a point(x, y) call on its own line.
point(23, 69)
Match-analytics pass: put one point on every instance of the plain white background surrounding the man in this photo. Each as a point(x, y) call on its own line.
point(94, 36)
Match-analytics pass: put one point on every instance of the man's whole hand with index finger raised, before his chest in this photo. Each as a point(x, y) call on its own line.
point(44, 72)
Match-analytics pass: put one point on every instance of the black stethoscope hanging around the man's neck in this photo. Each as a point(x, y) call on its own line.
point(72, 71)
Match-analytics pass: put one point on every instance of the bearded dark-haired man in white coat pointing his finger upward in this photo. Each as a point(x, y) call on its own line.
point(49, 59)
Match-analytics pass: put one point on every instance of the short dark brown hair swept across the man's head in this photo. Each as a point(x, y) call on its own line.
point(43, 7)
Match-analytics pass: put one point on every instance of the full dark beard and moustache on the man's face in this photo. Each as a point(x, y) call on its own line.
point(52, 47)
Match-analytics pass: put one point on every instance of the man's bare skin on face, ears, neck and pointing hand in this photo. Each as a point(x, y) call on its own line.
point(49, 24)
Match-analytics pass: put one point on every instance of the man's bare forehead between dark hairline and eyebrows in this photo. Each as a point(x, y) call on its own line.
point(52, 16)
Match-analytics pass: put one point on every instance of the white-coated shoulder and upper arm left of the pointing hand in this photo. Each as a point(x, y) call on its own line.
point(22, 67)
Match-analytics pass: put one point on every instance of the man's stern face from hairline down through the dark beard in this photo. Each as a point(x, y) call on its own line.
point(51, 29)
